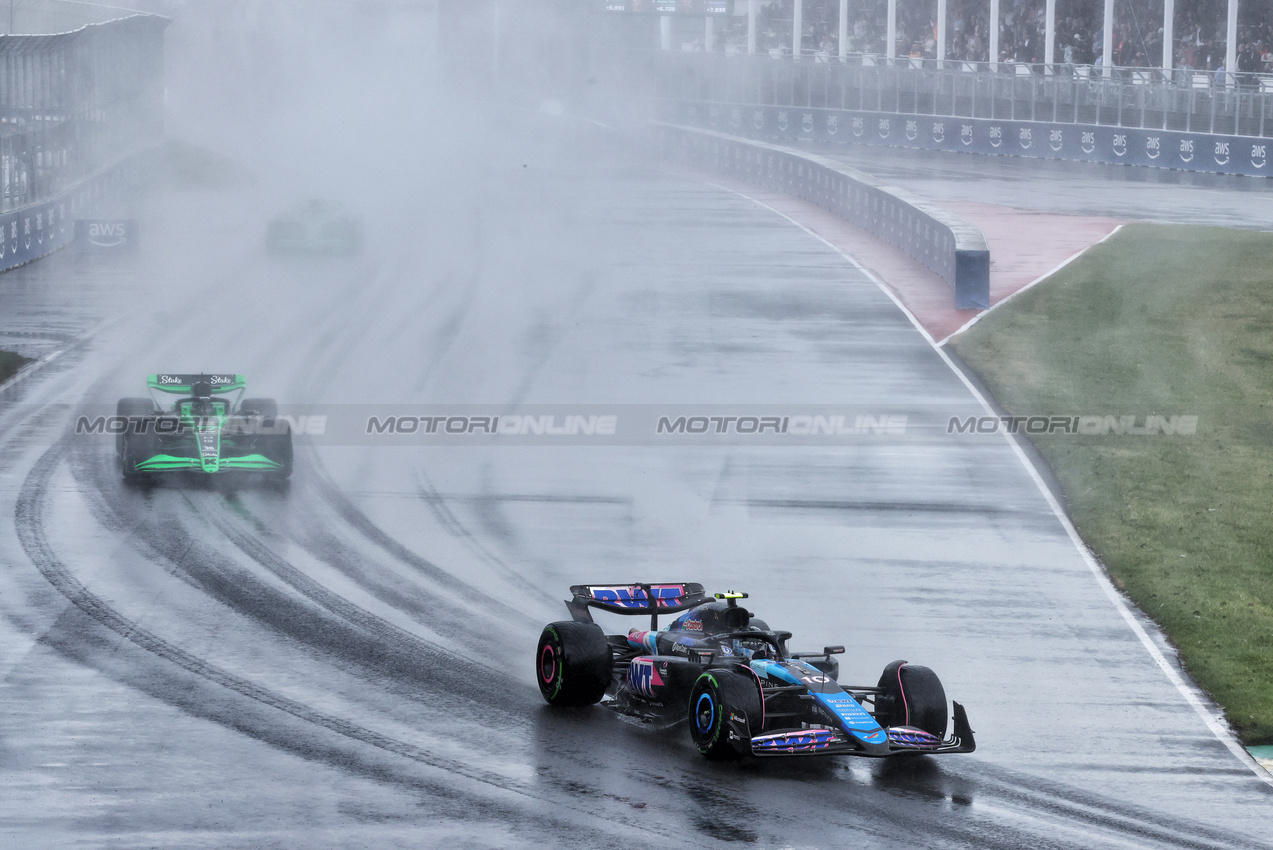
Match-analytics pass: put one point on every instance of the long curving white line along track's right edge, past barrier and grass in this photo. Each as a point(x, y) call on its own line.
point(1214, 722)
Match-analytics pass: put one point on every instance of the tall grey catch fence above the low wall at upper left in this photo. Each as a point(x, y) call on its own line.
point(78, 110)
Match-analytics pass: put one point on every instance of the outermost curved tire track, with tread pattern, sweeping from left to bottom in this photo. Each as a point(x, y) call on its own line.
point(31, 534)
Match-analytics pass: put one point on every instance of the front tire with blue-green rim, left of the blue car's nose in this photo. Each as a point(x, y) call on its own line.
point(725, 702)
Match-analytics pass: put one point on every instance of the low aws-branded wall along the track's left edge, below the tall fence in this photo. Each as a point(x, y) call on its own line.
point(39, 230)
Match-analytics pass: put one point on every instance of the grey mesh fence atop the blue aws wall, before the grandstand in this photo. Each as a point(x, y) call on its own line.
point(1130, 99)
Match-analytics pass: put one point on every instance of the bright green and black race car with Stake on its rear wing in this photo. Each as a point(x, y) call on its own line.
point(202, 424)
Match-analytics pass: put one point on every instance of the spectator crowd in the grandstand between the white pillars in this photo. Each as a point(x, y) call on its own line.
point(1200, 26)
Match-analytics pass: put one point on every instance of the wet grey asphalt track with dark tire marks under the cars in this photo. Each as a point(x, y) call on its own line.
point(347, 662)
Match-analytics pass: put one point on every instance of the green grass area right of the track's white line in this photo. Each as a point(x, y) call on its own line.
point(1163, 321)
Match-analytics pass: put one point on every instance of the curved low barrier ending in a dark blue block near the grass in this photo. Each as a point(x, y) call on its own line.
point(944, 242)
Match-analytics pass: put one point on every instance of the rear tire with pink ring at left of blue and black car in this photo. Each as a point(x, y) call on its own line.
point(573, 664)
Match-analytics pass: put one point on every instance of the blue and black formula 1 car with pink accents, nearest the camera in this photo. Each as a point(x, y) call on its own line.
point(733, 679)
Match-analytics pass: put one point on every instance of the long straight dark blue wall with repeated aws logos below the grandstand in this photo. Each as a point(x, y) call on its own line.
point(1199, 152)
